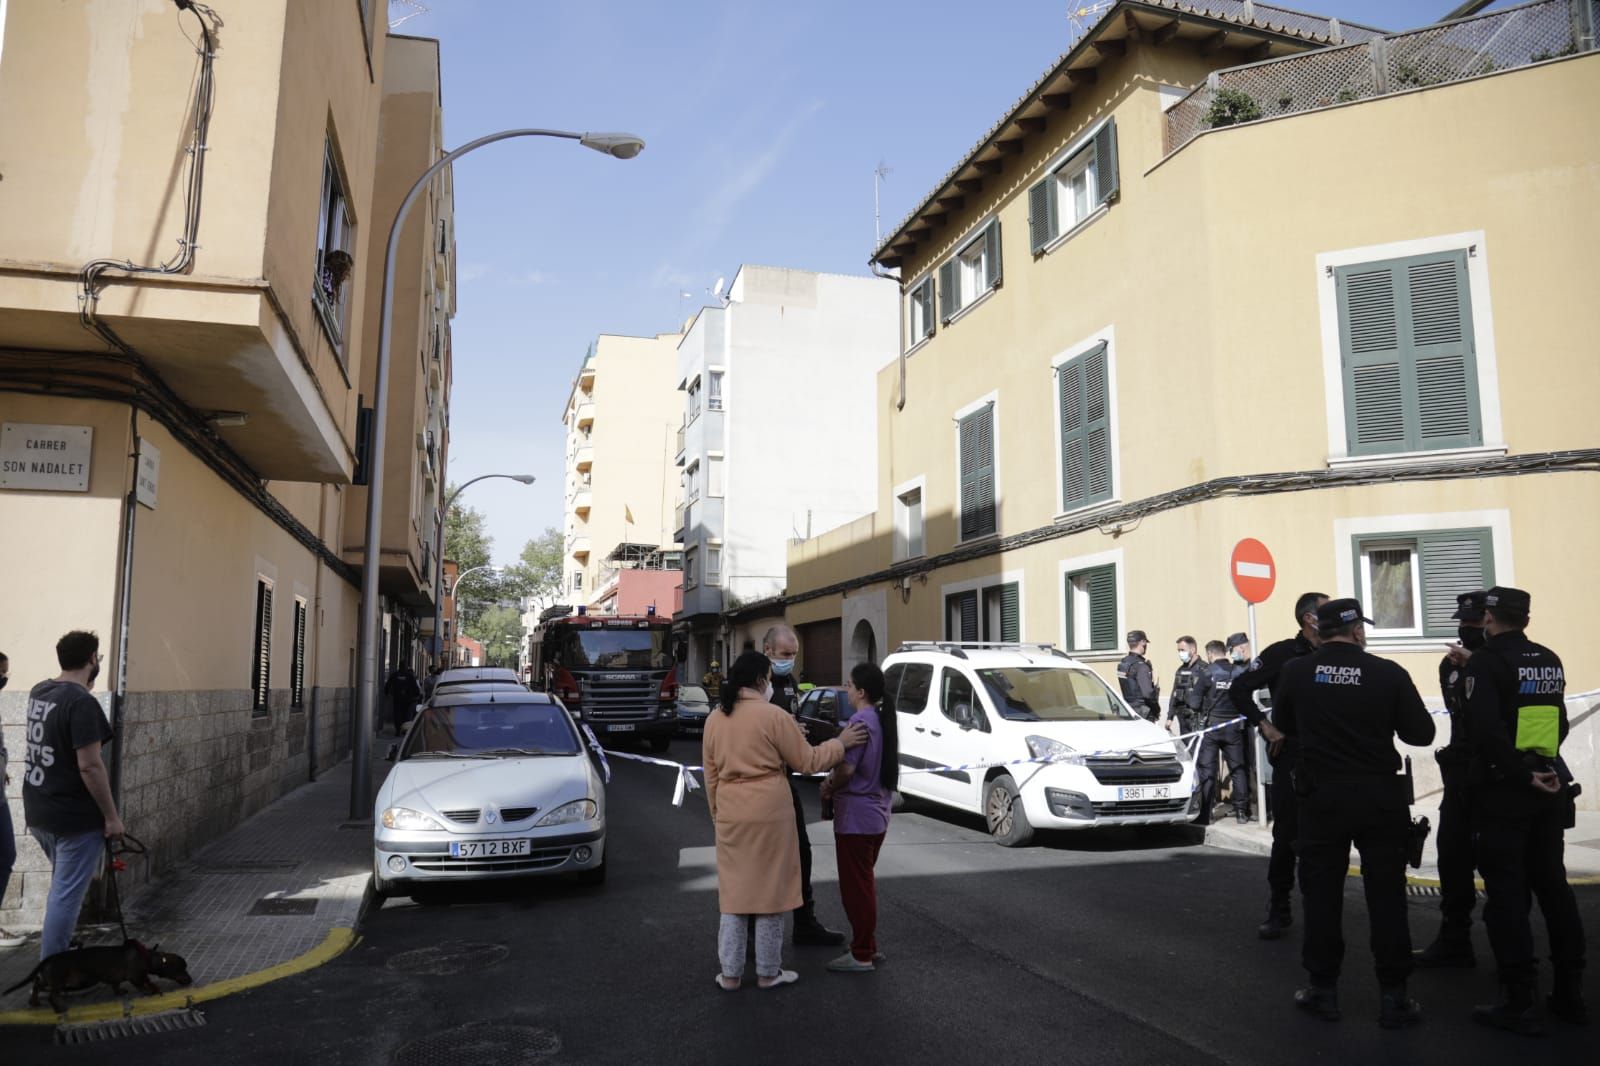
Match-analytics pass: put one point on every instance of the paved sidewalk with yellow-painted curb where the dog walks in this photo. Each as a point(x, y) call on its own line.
point(278, 896)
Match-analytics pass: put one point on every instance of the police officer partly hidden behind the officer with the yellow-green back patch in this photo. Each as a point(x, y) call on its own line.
point(1457, 892)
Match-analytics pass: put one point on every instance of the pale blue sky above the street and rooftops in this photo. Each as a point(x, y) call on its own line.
point(764, 124)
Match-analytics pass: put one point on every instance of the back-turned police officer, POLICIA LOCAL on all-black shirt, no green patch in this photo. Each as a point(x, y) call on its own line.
point(1346, 708)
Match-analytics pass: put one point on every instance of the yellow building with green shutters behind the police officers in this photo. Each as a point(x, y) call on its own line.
point(1254, 275)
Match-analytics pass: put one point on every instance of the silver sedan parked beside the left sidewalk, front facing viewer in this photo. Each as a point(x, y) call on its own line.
point(489, 785)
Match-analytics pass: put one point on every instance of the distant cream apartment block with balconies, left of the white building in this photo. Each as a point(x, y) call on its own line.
point(622, 419)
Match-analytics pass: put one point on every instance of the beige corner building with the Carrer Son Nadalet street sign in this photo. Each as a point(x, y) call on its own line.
point(186, 313)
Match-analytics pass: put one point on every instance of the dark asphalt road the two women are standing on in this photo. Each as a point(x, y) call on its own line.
point(1089, 948)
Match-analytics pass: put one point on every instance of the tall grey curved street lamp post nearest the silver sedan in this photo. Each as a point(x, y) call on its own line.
point(615, 145)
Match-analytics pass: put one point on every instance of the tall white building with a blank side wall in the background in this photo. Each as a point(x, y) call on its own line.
point(777, 443)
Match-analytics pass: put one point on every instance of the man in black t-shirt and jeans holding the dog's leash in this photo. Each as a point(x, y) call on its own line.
point(66, 791)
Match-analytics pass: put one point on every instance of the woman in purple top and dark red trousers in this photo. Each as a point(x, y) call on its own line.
point(862, 788)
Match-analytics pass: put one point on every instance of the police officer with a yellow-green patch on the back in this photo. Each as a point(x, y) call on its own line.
point(1522, 799)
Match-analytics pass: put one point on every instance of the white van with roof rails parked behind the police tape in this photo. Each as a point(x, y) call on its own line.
point(964, 705)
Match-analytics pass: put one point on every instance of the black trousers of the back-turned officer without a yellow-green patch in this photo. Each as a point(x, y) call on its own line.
point(1372, 814)
